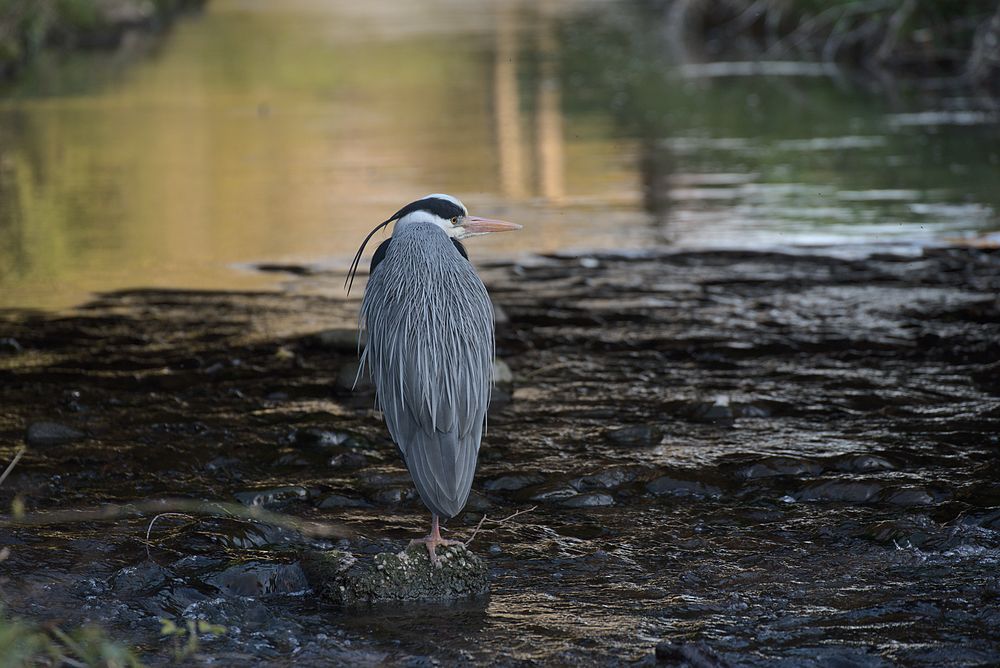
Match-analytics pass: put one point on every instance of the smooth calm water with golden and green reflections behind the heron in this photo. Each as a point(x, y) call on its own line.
point(276, 132)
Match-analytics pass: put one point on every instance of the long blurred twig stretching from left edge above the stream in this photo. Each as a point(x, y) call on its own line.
point(113, 512)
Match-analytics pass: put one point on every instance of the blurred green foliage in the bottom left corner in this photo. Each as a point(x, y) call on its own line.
point(25, 643)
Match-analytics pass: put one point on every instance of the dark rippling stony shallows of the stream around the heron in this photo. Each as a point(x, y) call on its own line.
point(759, 457)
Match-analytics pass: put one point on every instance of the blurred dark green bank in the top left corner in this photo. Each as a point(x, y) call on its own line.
point(27, 26)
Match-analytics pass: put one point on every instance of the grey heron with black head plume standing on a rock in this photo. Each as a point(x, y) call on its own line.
point(430, 348)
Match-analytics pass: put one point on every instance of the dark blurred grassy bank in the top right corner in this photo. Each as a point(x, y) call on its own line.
point(923, 37)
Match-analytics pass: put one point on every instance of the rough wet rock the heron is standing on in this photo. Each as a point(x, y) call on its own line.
point(342, 578)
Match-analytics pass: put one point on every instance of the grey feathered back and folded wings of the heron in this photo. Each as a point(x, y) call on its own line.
point(430, 353)
